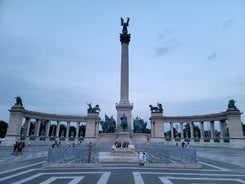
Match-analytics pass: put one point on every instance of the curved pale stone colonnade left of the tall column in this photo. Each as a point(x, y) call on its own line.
point(40, 127)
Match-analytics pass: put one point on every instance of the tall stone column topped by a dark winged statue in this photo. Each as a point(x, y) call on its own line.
point(124, 107)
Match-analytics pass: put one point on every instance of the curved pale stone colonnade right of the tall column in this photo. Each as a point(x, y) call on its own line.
point(224, 127)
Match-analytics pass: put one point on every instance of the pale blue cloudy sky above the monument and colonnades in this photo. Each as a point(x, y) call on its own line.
point(60, 55)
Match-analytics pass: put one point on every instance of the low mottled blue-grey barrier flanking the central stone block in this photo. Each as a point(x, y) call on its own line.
point(155, 154)
